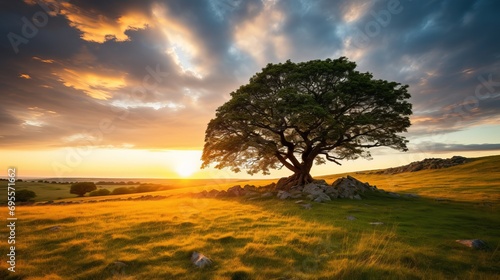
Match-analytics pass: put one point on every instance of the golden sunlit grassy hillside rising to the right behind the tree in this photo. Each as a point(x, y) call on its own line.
point(478, 179)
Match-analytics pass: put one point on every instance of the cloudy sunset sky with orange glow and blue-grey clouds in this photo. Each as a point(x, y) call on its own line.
point(114, 88)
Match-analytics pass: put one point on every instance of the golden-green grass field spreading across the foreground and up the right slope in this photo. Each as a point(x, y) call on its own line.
point(270, 238)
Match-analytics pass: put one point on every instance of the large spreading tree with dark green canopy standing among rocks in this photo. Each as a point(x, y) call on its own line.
point(295, 114)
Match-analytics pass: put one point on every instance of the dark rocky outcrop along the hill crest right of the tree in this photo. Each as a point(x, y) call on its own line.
point(428, 163)
